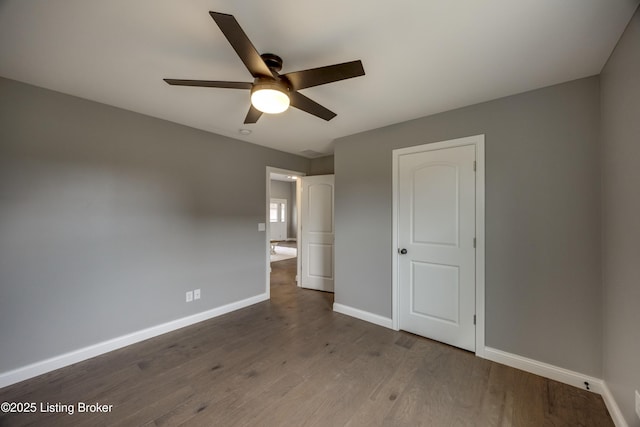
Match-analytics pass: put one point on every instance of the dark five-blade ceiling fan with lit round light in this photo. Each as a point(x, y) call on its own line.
point(271, 92)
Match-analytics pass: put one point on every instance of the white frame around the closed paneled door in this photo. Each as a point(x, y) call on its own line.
point(478, 141)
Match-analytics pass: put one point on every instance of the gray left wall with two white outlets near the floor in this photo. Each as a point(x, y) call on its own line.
point(108, 217)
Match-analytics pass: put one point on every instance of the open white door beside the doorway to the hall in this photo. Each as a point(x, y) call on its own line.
point(316, 219)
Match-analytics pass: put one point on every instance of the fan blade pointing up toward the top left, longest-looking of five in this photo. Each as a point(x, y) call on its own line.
point(242, 45)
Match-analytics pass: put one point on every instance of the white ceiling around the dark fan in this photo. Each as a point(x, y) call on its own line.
point(420, 56)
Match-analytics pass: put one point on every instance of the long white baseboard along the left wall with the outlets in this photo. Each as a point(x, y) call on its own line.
point(44, 366)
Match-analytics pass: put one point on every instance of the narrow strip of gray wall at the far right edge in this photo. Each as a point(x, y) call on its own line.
point(620, 89)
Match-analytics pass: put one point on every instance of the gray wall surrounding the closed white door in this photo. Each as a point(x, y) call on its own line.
point(543, 291)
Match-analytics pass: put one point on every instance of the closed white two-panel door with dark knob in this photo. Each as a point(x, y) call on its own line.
point(436, 244)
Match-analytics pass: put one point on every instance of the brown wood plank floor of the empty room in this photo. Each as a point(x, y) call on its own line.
point(292, 361)
